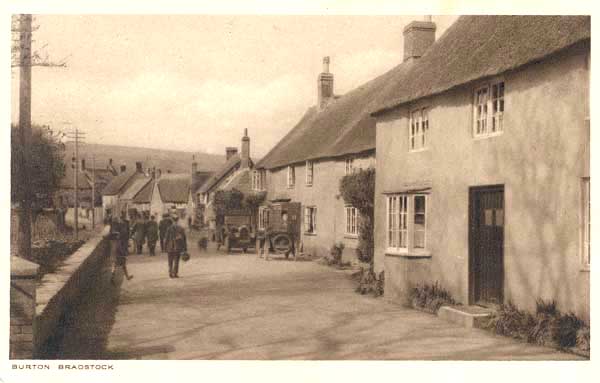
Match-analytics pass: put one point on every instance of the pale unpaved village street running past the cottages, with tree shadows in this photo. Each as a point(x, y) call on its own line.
point(241, 307)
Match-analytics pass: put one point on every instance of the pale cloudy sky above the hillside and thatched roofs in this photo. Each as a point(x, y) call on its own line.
point(195, 82)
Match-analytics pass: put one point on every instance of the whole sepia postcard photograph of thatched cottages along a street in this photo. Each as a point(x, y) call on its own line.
point(298, 187)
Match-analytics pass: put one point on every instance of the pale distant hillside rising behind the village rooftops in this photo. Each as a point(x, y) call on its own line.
point(173, 160)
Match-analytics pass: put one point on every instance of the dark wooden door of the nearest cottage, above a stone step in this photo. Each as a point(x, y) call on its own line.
point(486, 245)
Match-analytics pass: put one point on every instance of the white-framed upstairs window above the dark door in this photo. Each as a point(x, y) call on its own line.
point(488, 119)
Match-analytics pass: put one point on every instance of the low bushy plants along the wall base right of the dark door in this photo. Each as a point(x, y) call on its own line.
point(549, 327)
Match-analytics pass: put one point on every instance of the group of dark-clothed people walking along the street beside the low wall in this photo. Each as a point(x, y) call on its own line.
point(145, 229)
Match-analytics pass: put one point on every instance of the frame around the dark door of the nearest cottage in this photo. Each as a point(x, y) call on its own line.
point(473, 191)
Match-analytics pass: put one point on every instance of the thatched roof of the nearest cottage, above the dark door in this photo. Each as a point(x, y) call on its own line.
point(476, 47)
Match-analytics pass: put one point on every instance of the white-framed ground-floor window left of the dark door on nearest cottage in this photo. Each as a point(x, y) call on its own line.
point(400, 224)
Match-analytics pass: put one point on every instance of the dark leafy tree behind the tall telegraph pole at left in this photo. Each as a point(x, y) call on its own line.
point(46, 165)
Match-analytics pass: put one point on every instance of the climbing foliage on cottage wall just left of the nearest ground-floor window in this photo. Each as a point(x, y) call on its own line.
point(358, 190)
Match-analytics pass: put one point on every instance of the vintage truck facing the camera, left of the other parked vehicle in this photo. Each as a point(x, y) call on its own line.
point(238, 230)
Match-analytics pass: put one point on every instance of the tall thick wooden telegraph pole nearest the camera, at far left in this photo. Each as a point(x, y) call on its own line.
point(24, 238)
